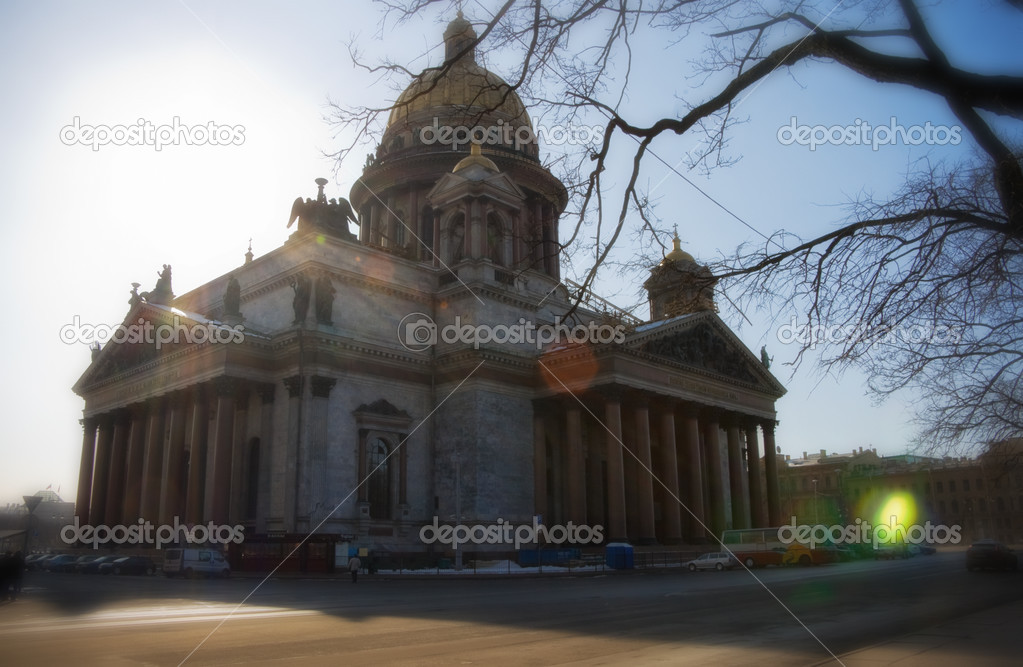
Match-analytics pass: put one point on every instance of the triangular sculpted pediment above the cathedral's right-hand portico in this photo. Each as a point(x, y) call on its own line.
point(702, 342)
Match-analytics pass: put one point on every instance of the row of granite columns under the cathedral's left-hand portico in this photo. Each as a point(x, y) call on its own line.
point(152, 461)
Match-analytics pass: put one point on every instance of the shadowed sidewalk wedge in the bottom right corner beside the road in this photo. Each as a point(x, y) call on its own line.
point(989, 638)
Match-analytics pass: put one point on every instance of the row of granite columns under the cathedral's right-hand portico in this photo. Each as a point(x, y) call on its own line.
point(662, 480)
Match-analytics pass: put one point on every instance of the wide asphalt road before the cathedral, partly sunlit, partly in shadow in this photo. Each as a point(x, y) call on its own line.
point(781, 616)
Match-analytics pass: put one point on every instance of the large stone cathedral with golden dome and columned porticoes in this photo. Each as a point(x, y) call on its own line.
point(332, 387)
